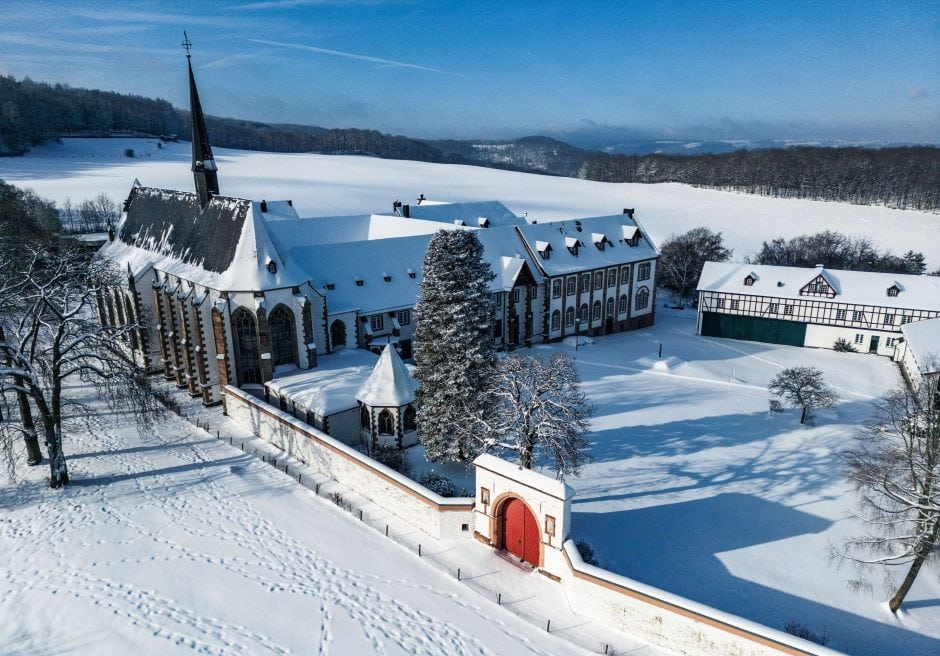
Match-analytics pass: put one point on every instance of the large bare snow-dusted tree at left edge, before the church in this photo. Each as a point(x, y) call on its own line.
point(50, 334)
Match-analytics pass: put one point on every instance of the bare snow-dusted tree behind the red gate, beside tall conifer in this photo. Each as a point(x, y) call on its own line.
point(537, 406)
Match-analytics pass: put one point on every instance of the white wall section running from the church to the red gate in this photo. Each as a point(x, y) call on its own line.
point(435, 515)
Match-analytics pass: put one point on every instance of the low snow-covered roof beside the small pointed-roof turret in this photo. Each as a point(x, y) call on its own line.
point(332, 385)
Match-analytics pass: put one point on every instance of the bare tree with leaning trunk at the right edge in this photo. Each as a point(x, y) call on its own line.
point(895, 467)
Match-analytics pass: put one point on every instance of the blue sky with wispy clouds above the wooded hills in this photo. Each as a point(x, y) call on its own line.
point(696, 70)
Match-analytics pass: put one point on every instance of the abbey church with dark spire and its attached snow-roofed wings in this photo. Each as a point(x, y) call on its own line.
point(233, 291)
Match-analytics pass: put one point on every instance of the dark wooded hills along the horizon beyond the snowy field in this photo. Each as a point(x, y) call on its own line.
point(32, 113)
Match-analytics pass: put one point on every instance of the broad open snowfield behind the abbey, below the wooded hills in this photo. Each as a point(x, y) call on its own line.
point(322, 185)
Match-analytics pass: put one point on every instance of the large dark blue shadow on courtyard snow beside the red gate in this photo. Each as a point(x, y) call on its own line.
point(676, 546)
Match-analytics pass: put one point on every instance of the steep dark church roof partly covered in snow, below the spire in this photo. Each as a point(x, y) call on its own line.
point(224, 246)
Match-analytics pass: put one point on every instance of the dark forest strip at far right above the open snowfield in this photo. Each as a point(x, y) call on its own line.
point(906, 177)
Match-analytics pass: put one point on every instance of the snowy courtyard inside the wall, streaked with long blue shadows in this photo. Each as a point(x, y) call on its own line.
point(698, 489)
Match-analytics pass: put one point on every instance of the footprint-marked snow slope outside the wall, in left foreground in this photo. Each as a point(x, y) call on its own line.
point(177, 542)
